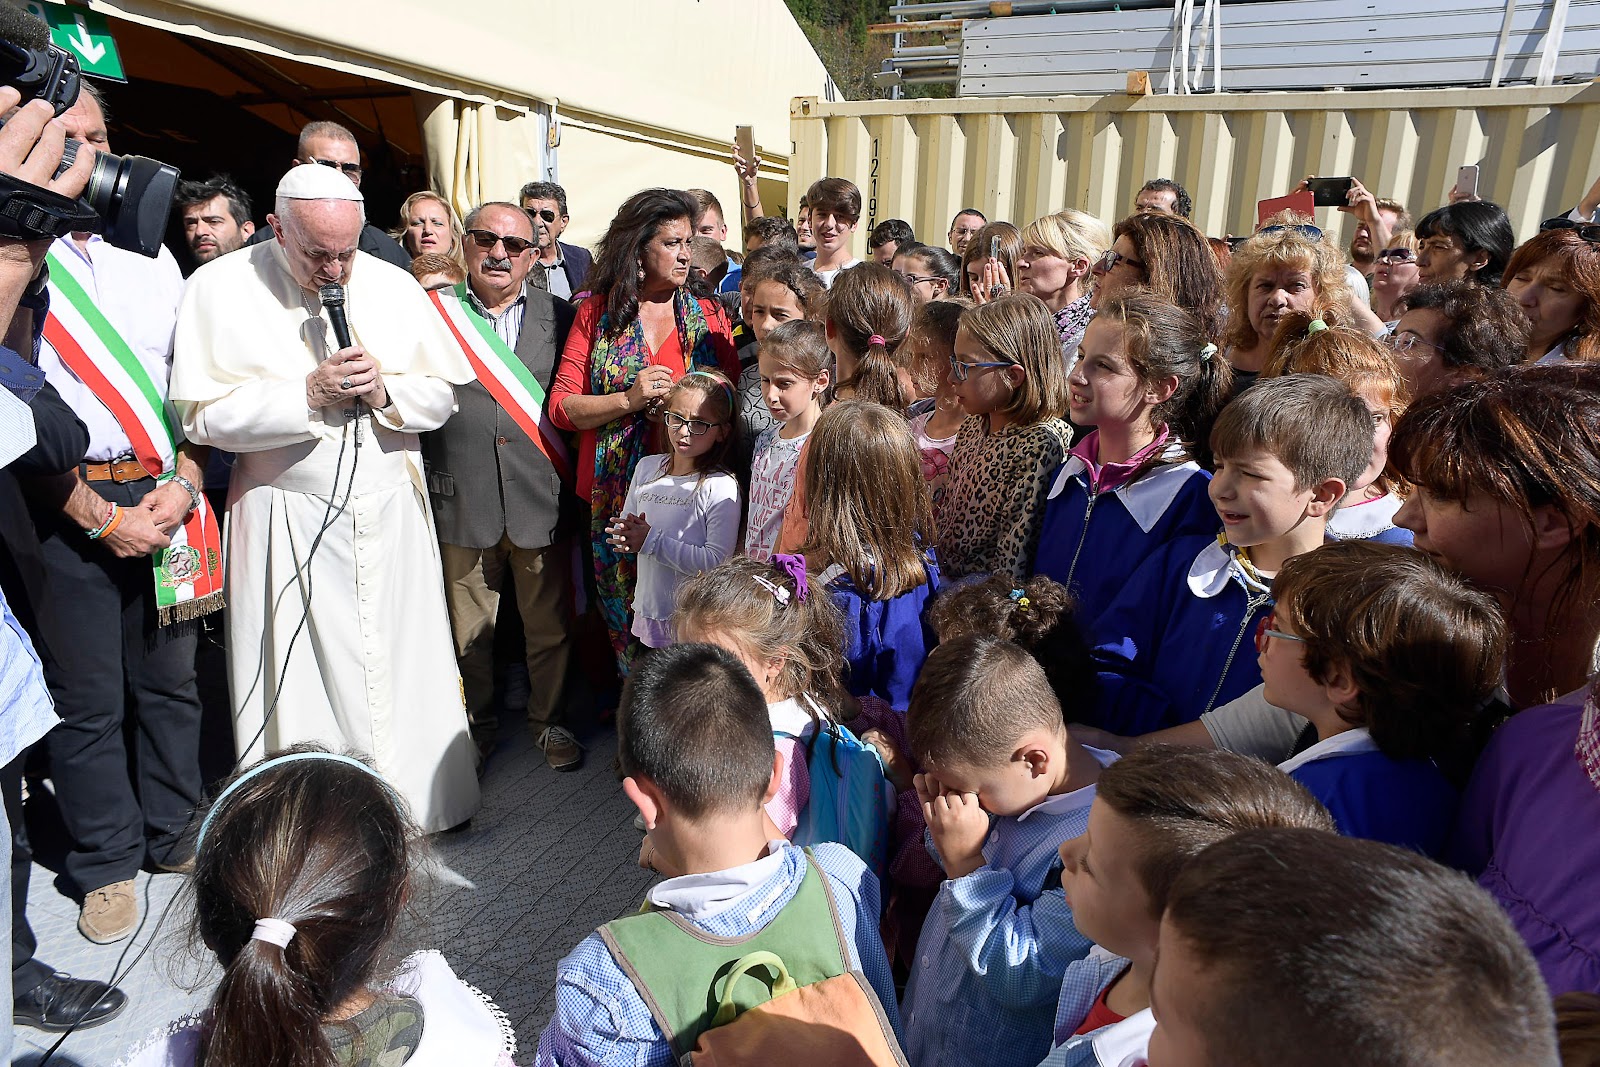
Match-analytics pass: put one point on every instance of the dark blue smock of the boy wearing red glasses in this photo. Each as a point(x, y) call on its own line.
point(1398, 802)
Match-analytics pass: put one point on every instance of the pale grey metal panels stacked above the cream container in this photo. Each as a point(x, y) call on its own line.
point(1286, 46)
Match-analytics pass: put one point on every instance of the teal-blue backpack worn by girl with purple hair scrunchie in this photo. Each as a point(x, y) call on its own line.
point(852, 799)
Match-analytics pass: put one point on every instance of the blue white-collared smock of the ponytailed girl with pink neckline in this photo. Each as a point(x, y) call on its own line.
point(1095, 540)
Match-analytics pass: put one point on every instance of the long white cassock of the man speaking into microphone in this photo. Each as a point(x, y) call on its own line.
point(374, 669)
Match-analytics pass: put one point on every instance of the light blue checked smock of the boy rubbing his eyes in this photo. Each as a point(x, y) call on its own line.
point(990, 962)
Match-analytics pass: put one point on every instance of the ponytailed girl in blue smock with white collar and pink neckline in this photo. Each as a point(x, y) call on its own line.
point(1150, 388)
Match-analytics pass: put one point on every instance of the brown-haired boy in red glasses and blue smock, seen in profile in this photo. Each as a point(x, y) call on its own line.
point(1390, 658)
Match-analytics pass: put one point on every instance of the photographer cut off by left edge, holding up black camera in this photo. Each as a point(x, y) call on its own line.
point(44, 439)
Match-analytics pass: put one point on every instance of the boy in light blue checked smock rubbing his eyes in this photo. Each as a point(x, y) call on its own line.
point(1004, 786)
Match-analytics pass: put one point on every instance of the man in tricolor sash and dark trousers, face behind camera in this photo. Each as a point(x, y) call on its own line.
point(134, 557)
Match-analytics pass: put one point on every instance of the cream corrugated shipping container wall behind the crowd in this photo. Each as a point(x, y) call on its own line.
point(1023, 158)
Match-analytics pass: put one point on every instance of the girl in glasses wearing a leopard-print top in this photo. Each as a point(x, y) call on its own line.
point(1009, 377)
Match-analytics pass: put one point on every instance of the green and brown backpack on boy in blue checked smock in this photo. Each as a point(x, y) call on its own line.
point(716, 1009)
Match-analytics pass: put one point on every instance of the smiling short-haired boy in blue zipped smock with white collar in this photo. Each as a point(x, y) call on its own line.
point(1177, 641)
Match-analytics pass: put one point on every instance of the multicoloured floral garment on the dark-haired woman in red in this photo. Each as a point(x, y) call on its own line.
point(620, 446)
